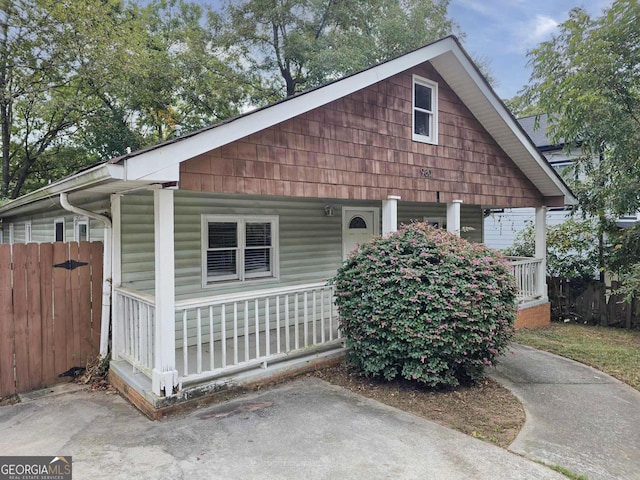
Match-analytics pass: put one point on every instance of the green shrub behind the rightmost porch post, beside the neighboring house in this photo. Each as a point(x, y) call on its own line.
point(572, 248)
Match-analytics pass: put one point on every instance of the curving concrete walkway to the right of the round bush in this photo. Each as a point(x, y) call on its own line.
point(577, 417)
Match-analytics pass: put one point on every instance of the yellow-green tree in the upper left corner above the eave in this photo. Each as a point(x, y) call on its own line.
point(54, 57)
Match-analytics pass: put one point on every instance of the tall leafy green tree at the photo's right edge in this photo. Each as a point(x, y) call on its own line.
point(586, 79)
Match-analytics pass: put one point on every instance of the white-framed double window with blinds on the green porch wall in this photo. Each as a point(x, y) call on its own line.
point(239, 248)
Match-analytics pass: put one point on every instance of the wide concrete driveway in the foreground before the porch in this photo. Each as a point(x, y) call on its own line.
point(306, 429)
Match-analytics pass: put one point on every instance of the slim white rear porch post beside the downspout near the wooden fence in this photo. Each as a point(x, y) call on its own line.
point(116, 277)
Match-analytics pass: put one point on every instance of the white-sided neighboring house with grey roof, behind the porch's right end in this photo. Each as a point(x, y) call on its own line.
point(502, 225)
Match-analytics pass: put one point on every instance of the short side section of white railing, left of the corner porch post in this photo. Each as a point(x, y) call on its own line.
point(134, 328)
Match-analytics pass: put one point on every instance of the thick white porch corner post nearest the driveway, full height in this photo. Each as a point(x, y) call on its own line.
point(165, 376)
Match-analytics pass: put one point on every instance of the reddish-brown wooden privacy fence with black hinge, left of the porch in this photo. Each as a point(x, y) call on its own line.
point(50, 306)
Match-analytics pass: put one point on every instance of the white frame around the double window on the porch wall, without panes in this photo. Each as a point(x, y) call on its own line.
point(241, 220)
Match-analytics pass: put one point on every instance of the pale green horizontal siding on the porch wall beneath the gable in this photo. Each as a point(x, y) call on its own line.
point(310, 243)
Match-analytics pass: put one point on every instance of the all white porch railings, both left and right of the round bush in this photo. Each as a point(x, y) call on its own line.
point(245, 337)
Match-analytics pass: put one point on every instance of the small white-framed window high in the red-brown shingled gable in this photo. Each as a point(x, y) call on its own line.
point(425, 110)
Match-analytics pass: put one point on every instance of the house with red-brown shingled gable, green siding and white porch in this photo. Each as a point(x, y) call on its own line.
point(219, 243)
